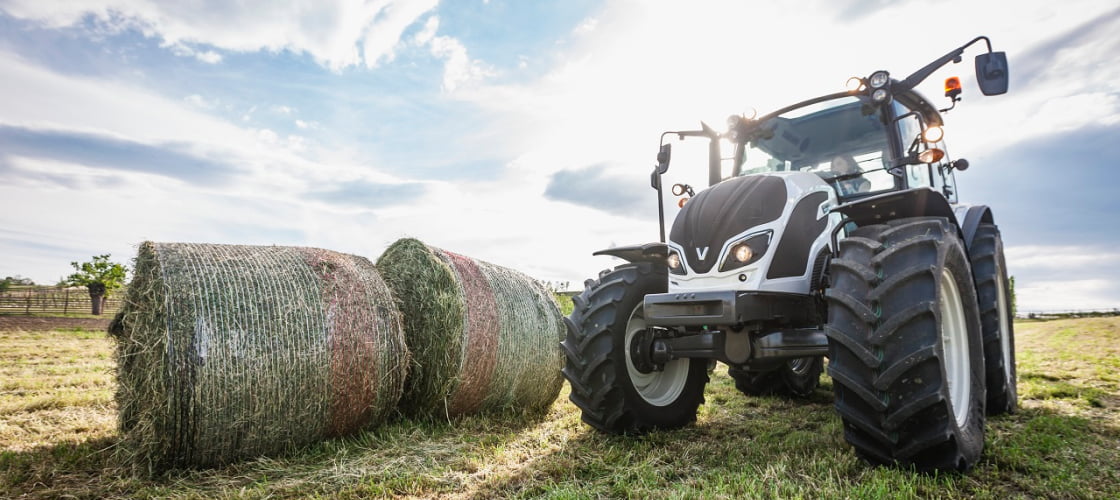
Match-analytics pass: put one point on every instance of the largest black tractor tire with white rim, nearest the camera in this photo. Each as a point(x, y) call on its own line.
point(906, 351)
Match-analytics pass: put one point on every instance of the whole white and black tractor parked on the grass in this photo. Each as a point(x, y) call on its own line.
point(833, 230)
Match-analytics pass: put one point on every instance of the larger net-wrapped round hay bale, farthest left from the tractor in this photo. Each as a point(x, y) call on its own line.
point(229, 351)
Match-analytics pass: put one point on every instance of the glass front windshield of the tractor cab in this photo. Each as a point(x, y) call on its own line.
point(835, 140)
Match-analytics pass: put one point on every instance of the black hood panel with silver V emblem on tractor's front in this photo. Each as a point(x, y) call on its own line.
point(724, 211)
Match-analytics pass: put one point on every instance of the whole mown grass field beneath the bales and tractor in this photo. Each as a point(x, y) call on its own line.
point(58, 432)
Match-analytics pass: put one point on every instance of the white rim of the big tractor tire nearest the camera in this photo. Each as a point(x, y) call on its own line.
point(955, 348)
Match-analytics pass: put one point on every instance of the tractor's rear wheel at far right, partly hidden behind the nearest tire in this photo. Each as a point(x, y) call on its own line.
point(990, 271)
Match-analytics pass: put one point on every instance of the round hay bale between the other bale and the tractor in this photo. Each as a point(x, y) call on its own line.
point(483, 338)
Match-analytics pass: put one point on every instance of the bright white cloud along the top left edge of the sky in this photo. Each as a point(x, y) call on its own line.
point(329, 31)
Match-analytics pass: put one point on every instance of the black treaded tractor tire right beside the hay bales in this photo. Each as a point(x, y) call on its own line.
point(615, 396)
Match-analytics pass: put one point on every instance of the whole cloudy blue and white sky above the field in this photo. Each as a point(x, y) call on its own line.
point(518, 133)
